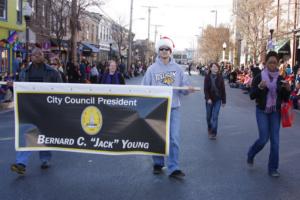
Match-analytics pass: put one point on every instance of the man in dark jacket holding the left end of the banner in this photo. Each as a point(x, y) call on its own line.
point(38, 71)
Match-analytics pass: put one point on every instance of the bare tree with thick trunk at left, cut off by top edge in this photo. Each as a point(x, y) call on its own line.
point(78, 8)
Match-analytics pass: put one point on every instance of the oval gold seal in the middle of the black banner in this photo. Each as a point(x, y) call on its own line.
point(91, 120)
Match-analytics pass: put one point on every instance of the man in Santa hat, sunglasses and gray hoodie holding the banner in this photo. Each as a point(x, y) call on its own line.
point(165, 72)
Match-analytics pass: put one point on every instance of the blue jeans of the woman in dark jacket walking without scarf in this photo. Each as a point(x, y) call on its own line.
point(212, 115)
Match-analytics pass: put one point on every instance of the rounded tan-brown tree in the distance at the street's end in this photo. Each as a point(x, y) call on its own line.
point(211, 43)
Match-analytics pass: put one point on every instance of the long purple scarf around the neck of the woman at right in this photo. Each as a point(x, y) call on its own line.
point(266, 75)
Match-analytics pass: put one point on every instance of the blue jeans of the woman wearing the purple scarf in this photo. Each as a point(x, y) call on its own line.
point(268, 127)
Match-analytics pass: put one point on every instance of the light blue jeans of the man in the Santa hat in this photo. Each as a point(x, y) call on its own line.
point(173, 158)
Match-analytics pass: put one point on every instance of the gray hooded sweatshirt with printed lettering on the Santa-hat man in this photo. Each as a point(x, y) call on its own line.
point(159, 74)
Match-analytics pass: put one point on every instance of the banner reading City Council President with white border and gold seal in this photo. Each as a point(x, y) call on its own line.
point(105, 119)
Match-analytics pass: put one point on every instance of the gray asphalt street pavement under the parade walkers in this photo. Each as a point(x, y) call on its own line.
point(214, 169)
